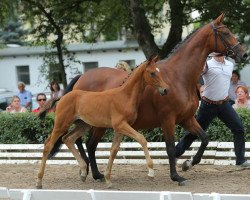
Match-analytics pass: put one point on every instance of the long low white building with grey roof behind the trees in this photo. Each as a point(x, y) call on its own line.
point(23, 63)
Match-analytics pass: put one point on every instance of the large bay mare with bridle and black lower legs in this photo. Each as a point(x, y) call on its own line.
point(181, 70)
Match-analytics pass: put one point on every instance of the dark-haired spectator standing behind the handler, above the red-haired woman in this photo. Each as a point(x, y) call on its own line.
point(234, 83)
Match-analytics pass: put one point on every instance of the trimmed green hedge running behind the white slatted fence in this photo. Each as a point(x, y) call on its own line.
point(26, 128)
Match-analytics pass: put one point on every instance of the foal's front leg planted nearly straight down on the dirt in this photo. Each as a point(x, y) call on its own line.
point(113, 152)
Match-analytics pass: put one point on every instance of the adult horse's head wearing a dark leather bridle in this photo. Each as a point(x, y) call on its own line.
point(224, 41)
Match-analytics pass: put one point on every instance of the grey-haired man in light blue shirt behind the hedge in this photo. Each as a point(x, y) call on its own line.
point(25, 96)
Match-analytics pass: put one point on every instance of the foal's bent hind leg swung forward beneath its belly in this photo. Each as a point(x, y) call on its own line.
point(70, 138)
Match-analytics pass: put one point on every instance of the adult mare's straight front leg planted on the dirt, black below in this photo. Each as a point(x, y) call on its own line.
point(168, 127)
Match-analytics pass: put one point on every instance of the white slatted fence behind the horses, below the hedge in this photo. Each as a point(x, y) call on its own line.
point(217, 153)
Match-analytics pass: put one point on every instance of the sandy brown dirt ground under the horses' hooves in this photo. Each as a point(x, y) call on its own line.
point(202, 178)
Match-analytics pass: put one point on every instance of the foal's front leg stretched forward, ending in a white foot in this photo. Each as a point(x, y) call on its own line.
point(125, 129)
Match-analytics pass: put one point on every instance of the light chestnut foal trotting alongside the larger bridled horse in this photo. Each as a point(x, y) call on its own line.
point(115, 108)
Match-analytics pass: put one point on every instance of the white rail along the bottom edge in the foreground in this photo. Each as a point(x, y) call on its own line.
point(29, 194)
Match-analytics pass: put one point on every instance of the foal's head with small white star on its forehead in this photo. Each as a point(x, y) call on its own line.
point(152, 76)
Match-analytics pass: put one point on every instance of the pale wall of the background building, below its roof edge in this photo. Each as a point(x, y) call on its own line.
point(109, 58)
